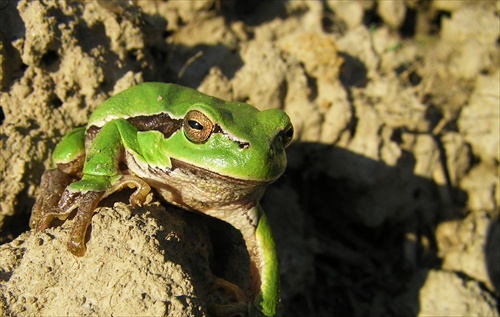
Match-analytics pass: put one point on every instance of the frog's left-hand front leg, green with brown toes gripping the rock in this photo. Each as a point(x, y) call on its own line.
point(101, 177)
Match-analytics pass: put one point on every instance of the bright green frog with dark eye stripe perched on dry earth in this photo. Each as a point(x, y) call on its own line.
point(198, 152)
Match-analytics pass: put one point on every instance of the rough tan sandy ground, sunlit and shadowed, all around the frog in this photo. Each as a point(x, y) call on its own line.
point(389, 206)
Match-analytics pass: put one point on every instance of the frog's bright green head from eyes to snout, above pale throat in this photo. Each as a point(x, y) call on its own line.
point(235, 139)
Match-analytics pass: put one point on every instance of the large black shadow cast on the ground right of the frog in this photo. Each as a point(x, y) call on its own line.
point(374, 225)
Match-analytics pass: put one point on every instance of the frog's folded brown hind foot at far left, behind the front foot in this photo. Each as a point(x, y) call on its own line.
point(51, 189)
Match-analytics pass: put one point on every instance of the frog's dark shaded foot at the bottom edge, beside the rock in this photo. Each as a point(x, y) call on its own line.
point(237, 301)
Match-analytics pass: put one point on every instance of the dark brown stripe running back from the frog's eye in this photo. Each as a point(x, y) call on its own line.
point(159, 122)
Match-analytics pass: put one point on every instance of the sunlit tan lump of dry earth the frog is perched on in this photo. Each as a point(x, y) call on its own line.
point(137, 263)
